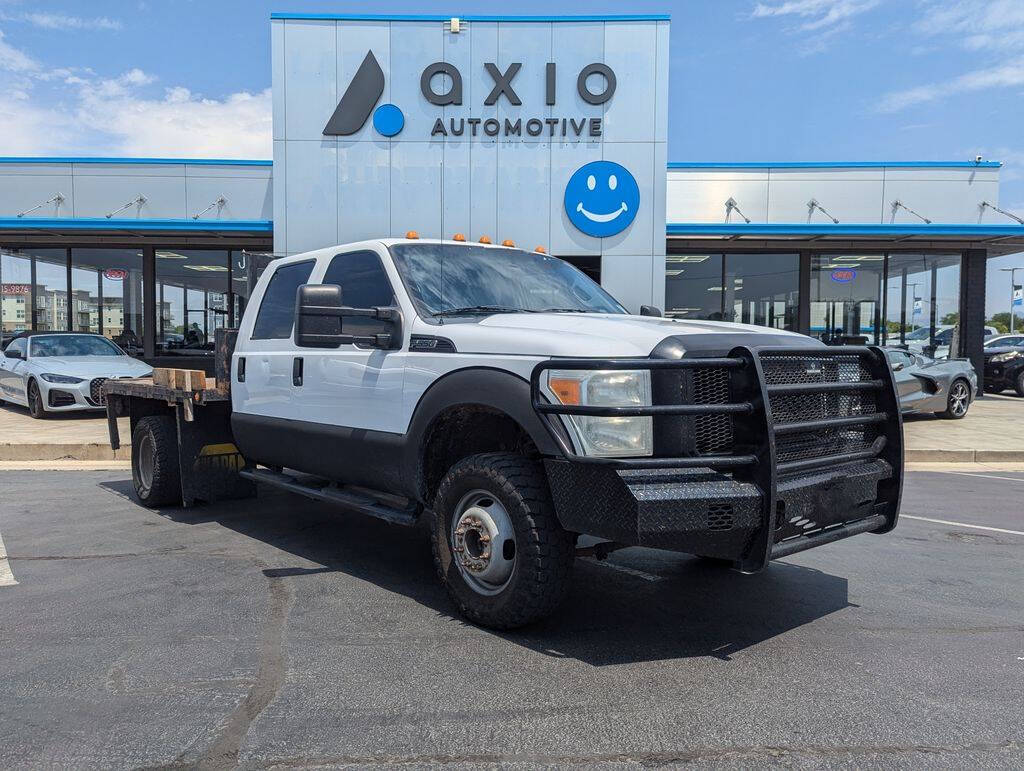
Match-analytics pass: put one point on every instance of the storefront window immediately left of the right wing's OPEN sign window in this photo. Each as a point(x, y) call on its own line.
point(762, 289)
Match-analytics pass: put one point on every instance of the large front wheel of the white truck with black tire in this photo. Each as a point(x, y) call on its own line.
point(500, 496)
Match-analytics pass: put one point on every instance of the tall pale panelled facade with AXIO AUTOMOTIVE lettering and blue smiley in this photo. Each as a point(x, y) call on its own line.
point(550, 133)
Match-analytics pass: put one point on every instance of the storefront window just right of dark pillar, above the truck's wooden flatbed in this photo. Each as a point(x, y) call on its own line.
point(192, 291)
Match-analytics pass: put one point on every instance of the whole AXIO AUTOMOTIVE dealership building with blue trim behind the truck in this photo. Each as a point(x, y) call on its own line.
point(549, 133)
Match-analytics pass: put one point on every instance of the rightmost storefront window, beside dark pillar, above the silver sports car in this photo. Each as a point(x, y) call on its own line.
point(923, 303)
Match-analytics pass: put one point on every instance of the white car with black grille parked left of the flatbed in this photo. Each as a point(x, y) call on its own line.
point(57, 372)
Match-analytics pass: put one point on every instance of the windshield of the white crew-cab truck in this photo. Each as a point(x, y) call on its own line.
point(453, 280)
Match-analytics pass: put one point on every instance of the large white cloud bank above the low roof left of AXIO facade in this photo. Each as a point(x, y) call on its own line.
point(68, 111)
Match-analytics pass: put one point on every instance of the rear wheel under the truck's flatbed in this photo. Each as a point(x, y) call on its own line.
point(155, 473)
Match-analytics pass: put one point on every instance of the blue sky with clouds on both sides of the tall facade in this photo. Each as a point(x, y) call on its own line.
point(769, 80)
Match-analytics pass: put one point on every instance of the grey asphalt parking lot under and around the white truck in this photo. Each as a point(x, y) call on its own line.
point(280, 633)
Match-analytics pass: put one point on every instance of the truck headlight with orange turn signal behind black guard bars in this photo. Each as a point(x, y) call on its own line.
point(609, 438)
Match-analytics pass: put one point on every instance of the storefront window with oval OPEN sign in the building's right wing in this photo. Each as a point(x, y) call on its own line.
point(846, 298)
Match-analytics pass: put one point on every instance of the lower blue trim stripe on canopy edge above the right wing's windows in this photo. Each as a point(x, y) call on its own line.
point(702, 229)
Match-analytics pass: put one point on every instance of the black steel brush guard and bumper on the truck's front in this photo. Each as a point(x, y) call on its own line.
point(796, 448)
